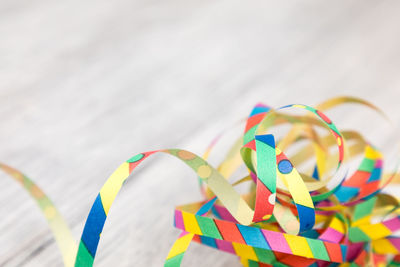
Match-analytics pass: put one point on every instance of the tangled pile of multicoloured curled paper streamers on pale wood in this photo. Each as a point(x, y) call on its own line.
point(325, 216)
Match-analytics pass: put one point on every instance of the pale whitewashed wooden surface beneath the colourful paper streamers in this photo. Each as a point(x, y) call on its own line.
point(84, 85)
